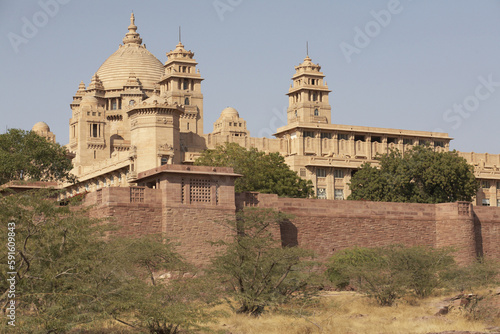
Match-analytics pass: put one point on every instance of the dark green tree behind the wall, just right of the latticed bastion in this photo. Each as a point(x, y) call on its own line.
point(265, 173)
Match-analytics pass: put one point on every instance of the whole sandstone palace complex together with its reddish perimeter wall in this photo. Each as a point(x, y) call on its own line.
point(137, 127)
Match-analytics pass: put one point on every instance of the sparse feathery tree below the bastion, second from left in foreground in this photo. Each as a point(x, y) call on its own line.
point(150, 301)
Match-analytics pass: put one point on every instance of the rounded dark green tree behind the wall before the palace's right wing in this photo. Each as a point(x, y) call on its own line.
point(419, 176)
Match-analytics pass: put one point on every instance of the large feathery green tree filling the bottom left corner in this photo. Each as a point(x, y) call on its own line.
point(56, 251)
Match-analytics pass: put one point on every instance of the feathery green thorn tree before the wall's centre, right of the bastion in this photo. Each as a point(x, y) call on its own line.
point(258, 269)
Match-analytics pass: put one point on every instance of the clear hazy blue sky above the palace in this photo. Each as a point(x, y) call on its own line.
point(416, 65)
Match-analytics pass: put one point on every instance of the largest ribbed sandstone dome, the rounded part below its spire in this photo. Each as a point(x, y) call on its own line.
point(130, 58)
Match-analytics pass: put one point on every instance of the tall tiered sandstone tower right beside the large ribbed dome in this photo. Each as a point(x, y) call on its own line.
point(181, 84)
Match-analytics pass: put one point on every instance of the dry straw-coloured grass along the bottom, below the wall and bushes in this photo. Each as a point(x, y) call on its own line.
point(348, 312)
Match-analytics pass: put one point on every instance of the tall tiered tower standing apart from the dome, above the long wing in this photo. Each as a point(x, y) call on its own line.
point(308, 95)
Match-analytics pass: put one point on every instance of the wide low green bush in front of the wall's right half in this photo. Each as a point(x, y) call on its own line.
point(388, 273)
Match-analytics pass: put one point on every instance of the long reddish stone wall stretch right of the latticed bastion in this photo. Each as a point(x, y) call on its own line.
point(326, 226)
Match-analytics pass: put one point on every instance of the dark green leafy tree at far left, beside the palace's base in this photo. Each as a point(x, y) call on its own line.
point(24, 155)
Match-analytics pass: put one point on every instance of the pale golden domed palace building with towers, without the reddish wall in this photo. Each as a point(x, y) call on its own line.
point(138, 114)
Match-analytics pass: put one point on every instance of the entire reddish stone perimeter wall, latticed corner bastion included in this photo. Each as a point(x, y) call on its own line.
point(325, 226)
